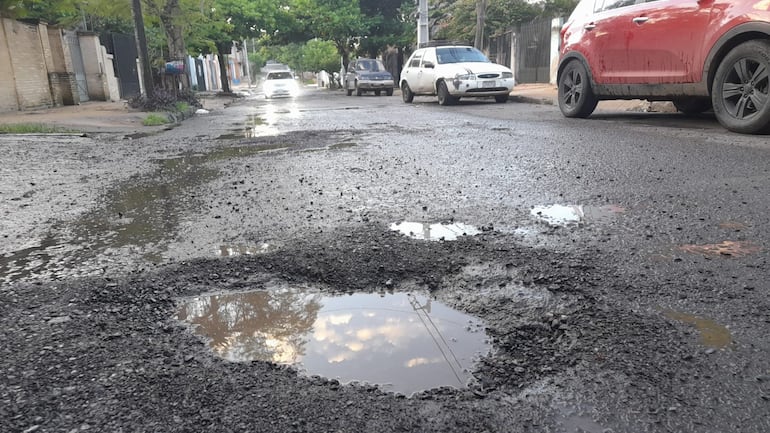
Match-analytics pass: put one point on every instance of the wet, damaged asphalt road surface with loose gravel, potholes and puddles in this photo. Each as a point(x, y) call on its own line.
point(308, 265)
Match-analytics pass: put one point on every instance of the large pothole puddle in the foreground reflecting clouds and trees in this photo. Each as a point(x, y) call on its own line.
point(403, 342)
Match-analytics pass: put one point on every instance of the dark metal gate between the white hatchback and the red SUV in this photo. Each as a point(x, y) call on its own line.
point(533, 52)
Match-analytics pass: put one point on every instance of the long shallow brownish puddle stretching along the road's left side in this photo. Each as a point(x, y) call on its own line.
point(141, 214)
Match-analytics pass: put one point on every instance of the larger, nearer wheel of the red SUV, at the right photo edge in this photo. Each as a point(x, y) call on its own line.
point(741, 88)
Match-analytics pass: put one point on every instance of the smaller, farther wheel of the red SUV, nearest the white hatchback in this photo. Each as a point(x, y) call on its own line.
point(576, 99)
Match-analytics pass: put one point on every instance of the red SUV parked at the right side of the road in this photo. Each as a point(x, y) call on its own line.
point(700, 54)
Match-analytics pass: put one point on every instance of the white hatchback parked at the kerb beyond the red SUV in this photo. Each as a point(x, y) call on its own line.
point(452, 72)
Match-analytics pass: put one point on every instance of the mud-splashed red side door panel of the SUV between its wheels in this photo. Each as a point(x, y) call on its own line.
point(650, 42)
